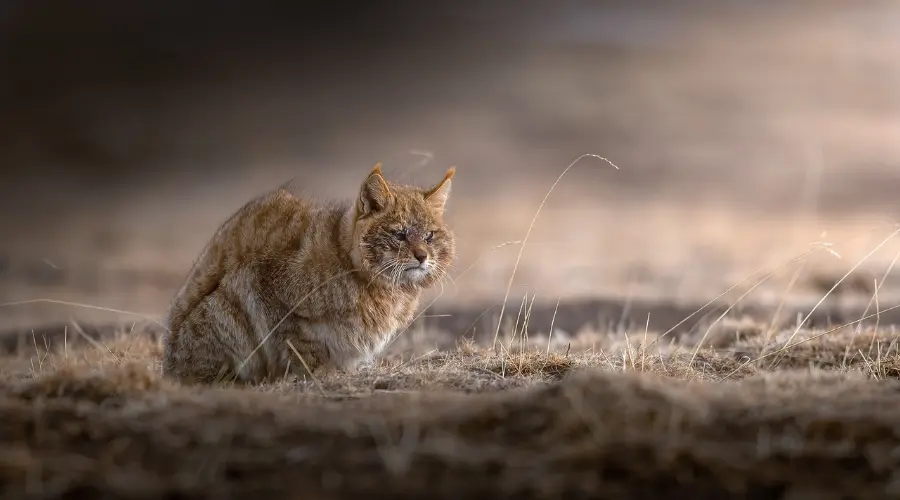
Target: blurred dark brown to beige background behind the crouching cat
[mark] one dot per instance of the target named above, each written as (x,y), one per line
(746,134)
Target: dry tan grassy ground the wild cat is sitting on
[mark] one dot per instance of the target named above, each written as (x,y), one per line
(600,416)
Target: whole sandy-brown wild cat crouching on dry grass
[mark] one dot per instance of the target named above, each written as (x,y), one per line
(287,278)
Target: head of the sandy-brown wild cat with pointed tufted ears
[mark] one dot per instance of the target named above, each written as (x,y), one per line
(399,231)
